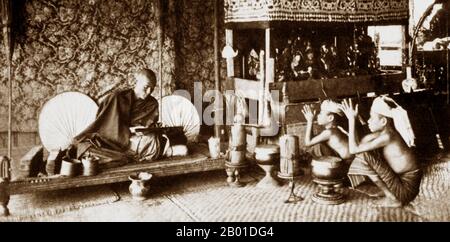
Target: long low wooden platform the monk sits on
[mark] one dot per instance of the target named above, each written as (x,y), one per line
(197,161)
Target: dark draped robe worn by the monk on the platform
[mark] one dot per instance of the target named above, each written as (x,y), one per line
(109,135)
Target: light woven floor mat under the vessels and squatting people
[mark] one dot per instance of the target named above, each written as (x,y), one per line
(215,201)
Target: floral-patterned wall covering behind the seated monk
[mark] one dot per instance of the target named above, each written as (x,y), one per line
(78,45)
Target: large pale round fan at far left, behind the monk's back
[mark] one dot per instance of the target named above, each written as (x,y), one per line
(63,117)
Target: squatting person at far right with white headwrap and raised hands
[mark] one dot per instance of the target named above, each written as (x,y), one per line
(395,170)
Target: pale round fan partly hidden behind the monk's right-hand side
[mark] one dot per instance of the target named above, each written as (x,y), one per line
(178,111)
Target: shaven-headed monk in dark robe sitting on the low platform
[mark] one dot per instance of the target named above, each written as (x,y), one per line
(121,117)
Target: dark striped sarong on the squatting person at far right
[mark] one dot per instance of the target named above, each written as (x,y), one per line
(404,187)
